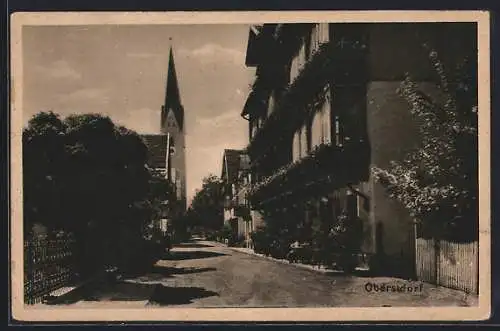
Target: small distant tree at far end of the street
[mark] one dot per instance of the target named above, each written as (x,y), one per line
(206,207)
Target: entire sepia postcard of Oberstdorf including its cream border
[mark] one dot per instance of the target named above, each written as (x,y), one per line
(243,167)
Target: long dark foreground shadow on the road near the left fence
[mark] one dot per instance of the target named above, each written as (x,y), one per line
(154,293)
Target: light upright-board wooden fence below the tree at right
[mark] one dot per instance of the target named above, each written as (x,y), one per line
(449,264)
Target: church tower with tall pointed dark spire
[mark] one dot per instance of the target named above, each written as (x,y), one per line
(172,124)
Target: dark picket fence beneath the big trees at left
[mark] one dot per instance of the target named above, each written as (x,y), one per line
(48,265)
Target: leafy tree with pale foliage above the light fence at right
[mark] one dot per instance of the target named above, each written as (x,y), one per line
(438,182)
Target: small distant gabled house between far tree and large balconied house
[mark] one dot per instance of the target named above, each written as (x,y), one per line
(235,178)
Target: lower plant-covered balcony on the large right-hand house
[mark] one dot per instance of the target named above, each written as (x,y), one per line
(324,169)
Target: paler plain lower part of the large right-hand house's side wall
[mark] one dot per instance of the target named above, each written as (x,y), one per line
(392,132)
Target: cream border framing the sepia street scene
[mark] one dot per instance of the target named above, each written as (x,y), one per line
(24,313)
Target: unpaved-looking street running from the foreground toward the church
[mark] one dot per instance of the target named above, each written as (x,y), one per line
(204,274)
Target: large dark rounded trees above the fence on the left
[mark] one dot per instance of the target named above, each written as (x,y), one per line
(87,176)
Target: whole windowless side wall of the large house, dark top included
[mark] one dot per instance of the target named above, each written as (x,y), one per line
(396,49)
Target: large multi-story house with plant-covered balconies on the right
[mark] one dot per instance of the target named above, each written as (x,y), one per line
(324,109)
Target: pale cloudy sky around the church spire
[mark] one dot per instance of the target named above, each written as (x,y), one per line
(120,71)
